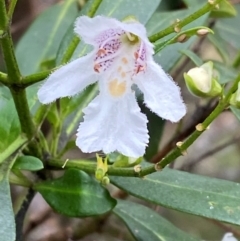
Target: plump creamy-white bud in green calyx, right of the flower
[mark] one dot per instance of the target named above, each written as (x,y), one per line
(200,81)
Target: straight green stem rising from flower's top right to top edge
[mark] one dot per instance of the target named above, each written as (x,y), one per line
(171,29)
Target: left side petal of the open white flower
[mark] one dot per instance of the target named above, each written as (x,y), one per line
(68,80)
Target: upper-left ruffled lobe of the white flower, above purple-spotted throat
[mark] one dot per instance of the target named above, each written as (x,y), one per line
(90,28)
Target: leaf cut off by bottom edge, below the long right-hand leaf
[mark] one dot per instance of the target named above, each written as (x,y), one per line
(146,224)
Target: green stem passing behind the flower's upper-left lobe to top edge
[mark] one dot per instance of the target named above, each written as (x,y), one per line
(76,40)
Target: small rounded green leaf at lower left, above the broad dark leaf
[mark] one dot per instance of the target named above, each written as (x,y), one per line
(30,163)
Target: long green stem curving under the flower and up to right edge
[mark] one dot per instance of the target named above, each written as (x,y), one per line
(90,167)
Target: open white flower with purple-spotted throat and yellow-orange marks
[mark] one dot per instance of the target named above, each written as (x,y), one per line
(122,57)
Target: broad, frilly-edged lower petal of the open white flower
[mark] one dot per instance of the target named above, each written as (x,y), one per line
(113,125)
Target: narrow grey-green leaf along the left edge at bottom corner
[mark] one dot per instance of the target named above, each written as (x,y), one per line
(7,222)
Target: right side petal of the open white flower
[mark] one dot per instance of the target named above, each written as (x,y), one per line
(161,94)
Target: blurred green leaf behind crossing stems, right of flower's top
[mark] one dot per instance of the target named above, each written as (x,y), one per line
(170,55)
